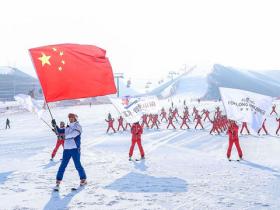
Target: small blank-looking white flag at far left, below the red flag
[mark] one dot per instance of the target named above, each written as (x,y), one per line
(30,104)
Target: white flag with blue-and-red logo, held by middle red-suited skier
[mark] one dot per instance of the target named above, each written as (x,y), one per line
(132,109)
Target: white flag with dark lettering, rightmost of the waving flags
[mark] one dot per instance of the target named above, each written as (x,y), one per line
(245,106)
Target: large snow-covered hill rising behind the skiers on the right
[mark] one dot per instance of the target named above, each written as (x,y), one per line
(206,86)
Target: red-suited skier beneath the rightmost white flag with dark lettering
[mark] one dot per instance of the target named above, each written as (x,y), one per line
(233,139)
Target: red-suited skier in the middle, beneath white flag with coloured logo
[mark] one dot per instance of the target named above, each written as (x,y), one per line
(136,131)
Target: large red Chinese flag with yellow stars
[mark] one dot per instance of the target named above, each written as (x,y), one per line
(70,71)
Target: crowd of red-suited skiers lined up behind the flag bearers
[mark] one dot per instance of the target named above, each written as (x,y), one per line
(218,123)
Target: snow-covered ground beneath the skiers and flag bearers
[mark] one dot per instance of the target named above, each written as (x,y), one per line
(184,169)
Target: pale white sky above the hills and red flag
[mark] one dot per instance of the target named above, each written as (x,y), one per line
(146,38)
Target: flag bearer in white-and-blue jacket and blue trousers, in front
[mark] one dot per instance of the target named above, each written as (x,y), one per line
(72,149)
